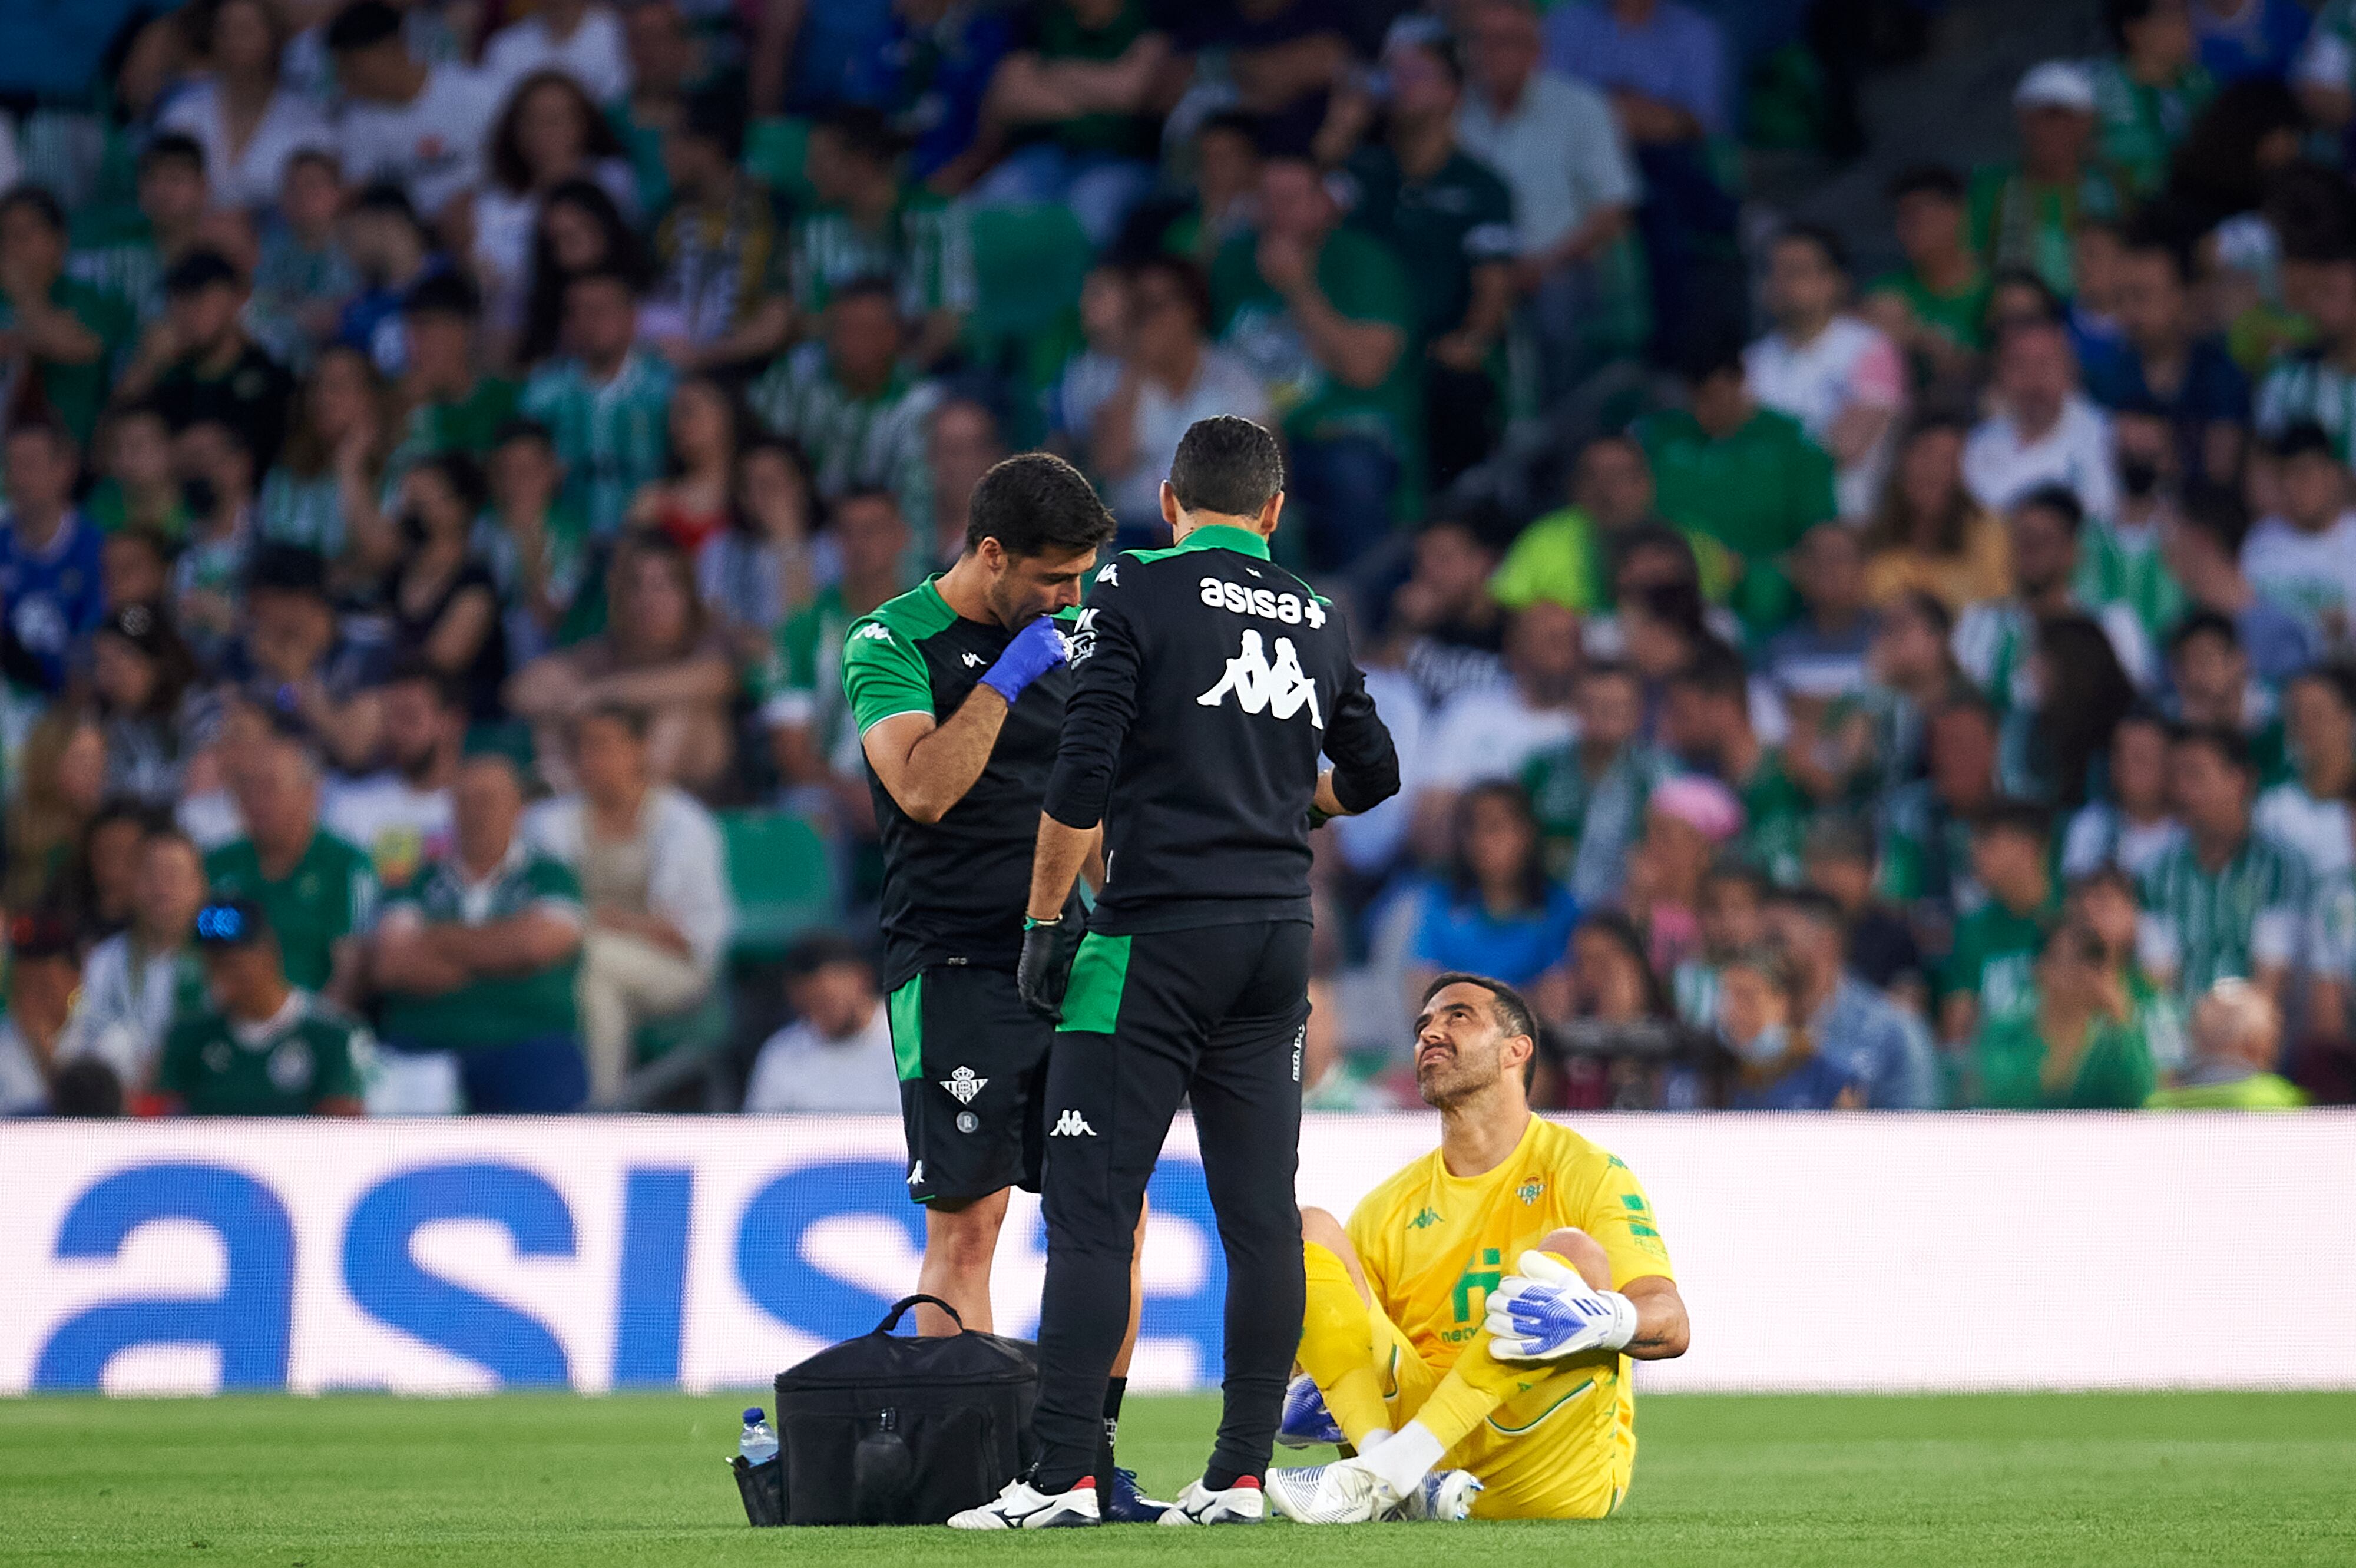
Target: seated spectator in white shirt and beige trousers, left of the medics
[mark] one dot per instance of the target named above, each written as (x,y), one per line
(659,903)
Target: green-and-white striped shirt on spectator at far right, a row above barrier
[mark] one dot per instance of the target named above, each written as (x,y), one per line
(2202,926)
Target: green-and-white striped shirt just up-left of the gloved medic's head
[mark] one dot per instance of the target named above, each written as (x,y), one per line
(854,441)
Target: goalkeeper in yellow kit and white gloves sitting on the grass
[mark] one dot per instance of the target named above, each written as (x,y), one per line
(1483,1305)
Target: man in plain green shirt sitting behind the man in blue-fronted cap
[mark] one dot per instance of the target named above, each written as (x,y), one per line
(312,886)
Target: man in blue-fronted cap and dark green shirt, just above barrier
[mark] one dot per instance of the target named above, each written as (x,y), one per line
(260,1047)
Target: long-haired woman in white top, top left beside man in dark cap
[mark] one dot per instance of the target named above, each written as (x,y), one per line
(239,112)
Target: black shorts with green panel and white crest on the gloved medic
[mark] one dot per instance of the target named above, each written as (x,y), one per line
(972,1065)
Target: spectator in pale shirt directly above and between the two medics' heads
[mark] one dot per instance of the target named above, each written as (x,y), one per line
(1172,376)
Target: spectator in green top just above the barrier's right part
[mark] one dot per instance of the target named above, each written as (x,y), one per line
(2072,1044)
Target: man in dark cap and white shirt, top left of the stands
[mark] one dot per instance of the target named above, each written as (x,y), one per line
(413,126)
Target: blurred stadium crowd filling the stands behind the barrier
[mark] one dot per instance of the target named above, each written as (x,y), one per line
(449,441)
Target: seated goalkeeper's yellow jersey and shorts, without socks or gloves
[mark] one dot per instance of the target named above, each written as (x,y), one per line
(1434,1247)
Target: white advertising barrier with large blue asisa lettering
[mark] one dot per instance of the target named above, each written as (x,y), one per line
(708,1254)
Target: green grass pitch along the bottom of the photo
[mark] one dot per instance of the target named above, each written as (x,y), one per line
(2074,1480)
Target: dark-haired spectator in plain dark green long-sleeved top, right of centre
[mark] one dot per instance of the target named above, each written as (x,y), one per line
(1742,474)
